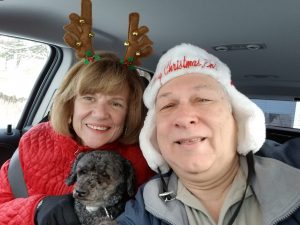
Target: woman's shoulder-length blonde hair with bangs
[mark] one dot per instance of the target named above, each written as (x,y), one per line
(107,76)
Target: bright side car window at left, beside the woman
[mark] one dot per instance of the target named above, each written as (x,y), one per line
(21,62)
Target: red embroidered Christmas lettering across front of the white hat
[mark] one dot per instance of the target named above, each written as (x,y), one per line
(185,64)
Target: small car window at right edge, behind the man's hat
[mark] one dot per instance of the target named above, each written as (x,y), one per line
(280,113)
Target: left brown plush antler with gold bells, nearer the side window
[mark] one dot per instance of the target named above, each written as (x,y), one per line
(79,32)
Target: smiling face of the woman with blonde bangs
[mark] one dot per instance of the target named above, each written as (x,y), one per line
(99,119)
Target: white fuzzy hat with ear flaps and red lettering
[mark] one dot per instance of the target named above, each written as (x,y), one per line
(185,59)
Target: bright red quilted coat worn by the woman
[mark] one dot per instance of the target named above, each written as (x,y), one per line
(46,158)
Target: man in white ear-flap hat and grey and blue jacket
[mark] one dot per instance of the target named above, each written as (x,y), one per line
(201,133)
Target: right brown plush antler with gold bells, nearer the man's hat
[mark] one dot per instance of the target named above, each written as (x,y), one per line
(138,44)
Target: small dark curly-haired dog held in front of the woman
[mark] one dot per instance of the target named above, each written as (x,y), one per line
(103,180)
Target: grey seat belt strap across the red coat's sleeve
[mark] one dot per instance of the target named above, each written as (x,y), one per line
(16,177)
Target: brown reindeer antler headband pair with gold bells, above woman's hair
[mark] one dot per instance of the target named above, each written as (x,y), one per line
(79,36)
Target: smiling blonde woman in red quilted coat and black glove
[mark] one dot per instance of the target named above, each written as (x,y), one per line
(98,106)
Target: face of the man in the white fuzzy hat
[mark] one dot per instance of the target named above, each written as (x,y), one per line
(196,131)
